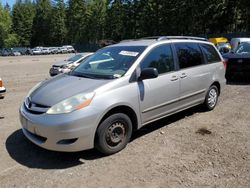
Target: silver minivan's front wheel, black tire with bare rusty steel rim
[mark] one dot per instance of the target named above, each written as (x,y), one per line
(113,134)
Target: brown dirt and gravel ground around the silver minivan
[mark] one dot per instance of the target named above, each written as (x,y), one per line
(172,152)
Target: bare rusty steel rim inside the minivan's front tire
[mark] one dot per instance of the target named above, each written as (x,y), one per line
(115,134)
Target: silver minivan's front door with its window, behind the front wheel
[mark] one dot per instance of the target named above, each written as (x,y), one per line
(159,96)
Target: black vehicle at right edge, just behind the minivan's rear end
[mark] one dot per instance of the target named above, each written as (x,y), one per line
(238,61)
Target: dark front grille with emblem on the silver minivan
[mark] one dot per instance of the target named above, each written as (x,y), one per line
(35,108)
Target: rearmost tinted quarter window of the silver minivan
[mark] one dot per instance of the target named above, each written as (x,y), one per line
(211,54)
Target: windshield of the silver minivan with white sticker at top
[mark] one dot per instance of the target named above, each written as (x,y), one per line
(109,63)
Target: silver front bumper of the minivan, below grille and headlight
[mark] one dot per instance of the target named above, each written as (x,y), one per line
(64,132)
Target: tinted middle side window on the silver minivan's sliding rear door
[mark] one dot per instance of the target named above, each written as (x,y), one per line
(189,55)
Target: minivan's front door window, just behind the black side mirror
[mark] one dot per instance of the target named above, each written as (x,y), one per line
(161,58)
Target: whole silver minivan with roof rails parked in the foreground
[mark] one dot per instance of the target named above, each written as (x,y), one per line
(119,89)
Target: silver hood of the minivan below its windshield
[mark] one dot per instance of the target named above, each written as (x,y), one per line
(61,87)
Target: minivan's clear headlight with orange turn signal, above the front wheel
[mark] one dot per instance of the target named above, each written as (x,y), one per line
(76,102)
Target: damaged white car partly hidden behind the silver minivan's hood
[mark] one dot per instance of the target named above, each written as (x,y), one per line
(68,64)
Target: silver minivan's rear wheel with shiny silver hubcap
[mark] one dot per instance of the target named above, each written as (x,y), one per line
(211,98)
